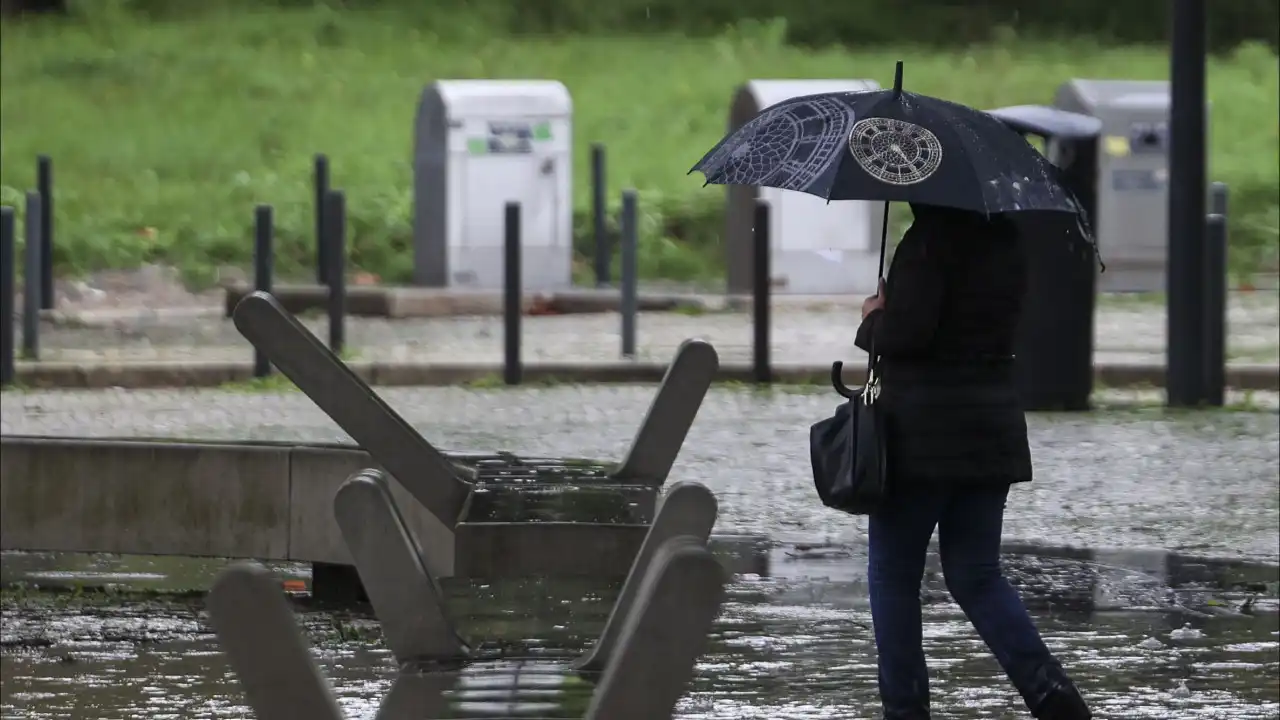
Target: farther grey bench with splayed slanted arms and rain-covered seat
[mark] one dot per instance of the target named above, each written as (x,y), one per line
(607,508)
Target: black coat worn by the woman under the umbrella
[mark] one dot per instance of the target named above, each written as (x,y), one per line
(953,302)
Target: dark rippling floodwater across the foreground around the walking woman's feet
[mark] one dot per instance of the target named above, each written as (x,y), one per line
(792,648)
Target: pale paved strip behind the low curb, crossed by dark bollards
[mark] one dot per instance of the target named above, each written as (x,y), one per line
(1127,331)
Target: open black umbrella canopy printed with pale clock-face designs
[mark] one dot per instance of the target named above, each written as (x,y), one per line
(890,145)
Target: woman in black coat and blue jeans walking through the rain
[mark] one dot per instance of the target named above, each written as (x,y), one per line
(944,327)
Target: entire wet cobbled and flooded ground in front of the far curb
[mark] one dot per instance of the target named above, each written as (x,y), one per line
(1145,644)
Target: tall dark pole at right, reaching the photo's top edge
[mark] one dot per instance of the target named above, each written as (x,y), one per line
(1187,192)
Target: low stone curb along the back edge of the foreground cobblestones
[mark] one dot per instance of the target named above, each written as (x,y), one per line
(213,373)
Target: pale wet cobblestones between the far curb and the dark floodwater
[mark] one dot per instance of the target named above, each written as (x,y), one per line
(1201,484)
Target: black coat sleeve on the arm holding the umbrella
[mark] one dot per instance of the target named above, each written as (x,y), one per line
(913,302)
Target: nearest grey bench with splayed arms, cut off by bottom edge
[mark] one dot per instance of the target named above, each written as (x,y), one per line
(646,658)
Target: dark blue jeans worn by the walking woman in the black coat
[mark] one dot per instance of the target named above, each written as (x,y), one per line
(970,522)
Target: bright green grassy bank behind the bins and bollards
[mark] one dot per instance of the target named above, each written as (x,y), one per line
(166,135)
